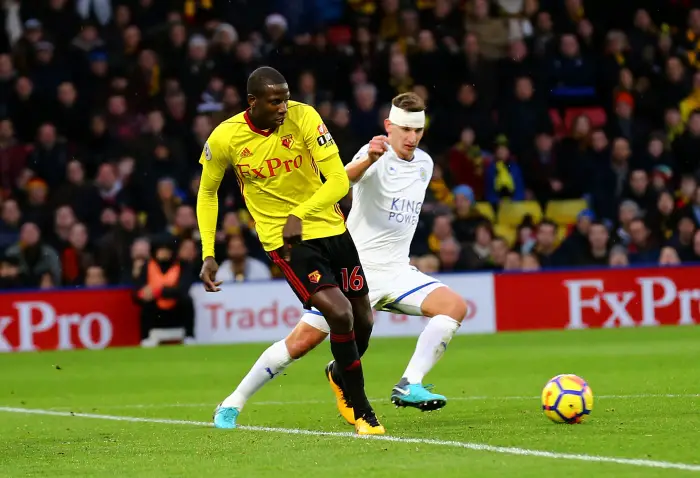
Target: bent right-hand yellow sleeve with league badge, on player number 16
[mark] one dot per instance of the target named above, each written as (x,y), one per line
(325,154)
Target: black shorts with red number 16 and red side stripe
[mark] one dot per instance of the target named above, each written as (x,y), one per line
(325,262)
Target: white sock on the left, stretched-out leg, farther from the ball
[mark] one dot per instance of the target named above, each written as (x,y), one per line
(272,361)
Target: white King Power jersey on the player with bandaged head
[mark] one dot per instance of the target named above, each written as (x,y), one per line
(386,203)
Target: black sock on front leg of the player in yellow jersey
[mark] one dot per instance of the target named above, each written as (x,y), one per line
(347,363)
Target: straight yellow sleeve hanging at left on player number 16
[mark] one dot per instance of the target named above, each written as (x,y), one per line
(214,160)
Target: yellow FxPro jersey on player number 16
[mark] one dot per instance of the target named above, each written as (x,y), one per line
(278,171)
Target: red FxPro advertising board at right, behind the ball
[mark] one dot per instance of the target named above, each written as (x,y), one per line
(598,298)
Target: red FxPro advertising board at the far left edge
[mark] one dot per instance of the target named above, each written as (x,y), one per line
(68,319)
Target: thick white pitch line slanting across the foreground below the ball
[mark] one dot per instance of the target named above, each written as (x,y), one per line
(421,441)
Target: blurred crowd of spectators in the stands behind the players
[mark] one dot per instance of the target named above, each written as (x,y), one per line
(105,106)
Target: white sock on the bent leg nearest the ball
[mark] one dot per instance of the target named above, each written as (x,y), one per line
(432,343)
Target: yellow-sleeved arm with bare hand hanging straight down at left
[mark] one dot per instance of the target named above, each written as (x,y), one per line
(213,169)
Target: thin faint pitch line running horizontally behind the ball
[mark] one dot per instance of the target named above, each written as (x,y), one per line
(317,402)
